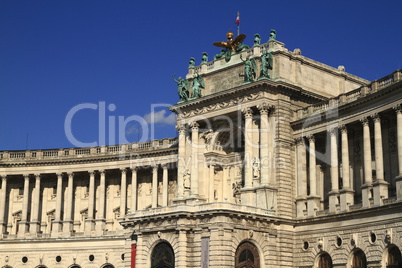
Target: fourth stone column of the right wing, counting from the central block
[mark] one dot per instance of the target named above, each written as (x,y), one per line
(346,193)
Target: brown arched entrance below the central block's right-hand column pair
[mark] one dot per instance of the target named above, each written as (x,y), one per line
(247,256)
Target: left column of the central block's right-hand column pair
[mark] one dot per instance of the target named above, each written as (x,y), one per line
(247,191)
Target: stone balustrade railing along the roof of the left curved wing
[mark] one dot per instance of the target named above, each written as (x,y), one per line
(86,152)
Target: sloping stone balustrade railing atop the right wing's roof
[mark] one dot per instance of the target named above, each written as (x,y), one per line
(350,96)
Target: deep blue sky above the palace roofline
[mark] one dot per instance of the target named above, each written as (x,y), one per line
(121,55)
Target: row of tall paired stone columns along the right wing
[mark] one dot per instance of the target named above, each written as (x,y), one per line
(373,191)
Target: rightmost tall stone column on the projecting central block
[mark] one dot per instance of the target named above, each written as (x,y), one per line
(265,161)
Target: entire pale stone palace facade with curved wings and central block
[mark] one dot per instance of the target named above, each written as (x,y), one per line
(298,168)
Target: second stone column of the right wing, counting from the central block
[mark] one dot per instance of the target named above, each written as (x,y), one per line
(313,200)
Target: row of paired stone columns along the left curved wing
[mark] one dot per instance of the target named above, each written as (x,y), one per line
(63,226)
